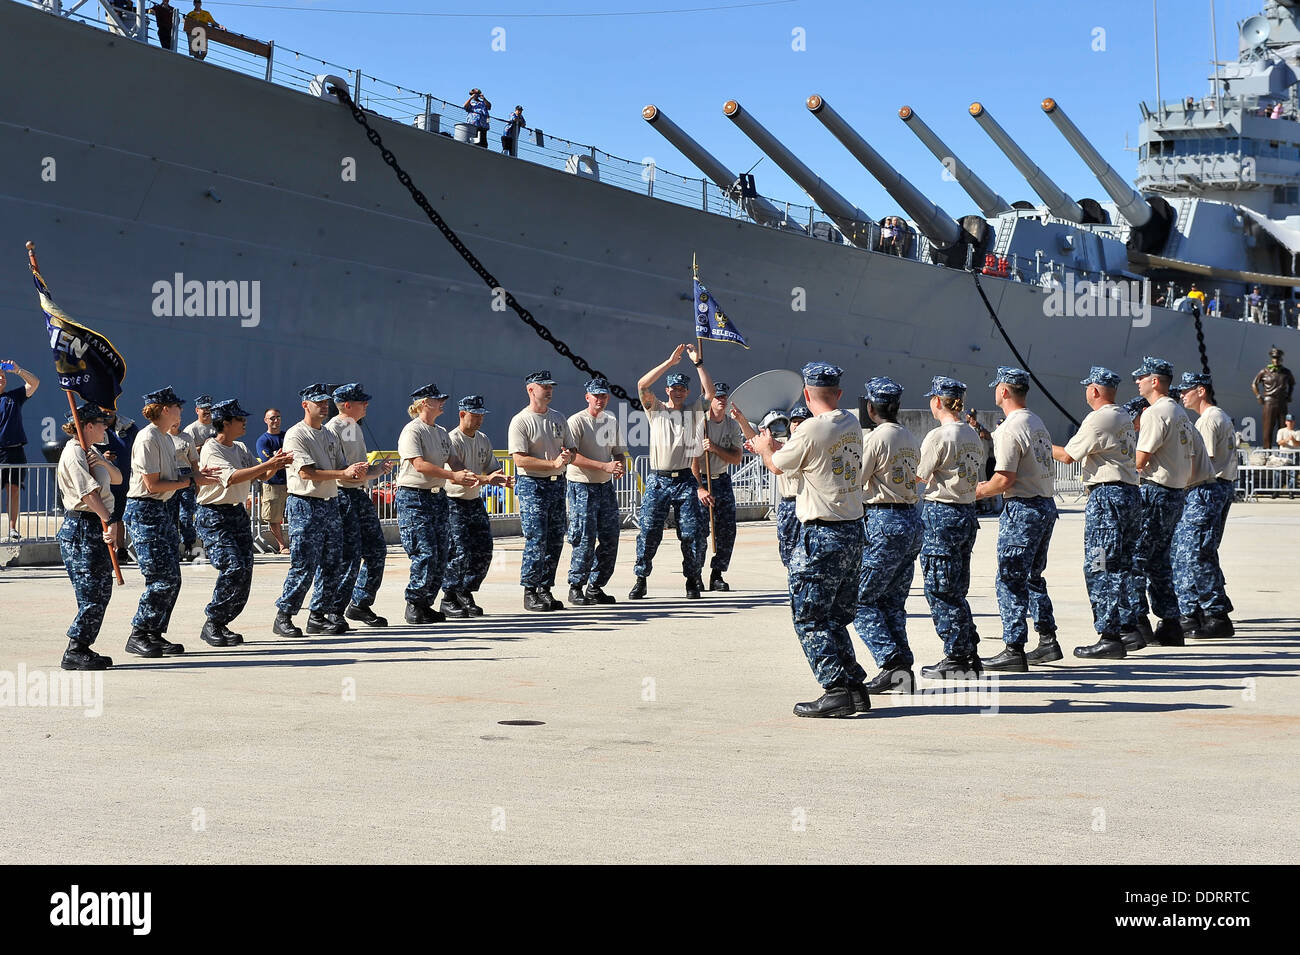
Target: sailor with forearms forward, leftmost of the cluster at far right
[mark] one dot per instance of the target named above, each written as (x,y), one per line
(1104,448)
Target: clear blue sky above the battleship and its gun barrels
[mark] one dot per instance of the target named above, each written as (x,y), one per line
(587,77)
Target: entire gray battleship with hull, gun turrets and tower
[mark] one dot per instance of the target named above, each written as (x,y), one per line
(354,284)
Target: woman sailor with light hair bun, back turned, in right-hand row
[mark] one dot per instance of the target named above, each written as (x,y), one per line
(952,461)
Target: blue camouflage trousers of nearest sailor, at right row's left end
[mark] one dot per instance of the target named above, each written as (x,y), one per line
(824,598)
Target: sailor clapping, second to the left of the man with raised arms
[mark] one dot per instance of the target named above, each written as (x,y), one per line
(540,442)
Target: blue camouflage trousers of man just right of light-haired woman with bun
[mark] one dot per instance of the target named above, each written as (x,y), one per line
(1024,537)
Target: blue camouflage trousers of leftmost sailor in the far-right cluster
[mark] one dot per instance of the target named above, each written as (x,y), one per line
(1112,523)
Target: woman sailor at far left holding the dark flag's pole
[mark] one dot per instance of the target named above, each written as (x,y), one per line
(85,483)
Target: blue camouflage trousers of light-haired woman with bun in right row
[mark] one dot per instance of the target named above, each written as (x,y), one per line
(946,562)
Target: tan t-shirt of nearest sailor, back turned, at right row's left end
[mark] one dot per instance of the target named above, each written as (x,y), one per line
(826,454)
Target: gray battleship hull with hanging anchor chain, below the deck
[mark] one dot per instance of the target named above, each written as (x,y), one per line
(357,285)
